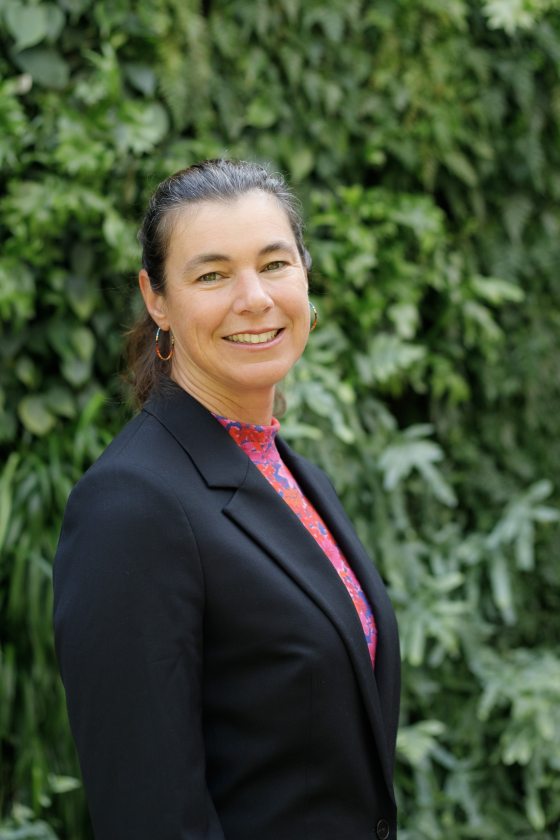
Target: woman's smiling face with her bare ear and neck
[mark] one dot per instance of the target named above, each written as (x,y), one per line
(236,302)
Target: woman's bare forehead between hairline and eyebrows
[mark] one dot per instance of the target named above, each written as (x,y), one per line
(253,219)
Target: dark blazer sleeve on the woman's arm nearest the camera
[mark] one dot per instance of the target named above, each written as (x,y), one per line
(128,614)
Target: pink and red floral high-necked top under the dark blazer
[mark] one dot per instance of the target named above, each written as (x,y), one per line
(258,442)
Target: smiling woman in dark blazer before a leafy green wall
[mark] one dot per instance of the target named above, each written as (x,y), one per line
(229,653)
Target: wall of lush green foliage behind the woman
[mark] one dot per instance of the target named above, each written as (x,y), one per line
(423,138)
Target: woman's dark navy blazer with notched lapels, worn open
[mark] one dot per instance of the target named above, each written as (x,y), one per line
(217,676)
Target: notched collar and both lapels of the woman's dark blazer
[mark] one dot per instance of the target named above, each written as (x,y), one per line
(258,510)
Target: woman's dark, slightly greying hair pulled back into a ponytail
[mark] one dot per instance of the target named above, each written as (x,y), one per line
(210,180)
